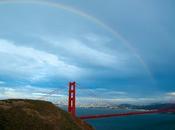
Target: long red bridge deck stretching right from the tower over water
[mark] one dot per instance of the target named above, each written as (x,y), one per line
(127,113)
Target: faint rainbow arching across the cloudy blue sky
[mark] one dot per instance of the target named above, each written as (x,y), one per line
(90,18)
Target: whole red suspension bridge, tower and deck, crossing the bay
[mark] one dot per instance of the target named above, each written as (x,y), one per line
(71,107)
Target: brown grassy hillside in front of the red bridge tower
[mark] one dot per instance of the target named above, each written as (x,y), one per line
(19,114)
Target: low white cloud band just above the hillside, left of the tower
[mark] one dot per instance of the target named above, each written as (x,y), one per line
(33,92)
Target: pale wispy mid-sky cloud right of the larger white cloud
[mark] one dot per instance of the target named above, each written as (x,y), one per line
(86,53)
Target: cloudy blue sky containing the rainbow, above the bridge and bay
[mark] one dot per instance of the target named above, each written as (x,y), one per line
(117,51)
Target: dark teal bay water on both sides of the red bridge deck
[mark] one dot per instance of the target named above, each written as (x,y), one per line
(140,122)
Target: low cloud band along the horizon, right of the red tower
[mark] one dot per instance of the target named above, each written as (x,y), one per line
(106,97)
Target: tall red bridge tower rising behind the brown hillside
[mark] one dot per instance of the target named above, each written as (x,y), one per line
(71,99)
